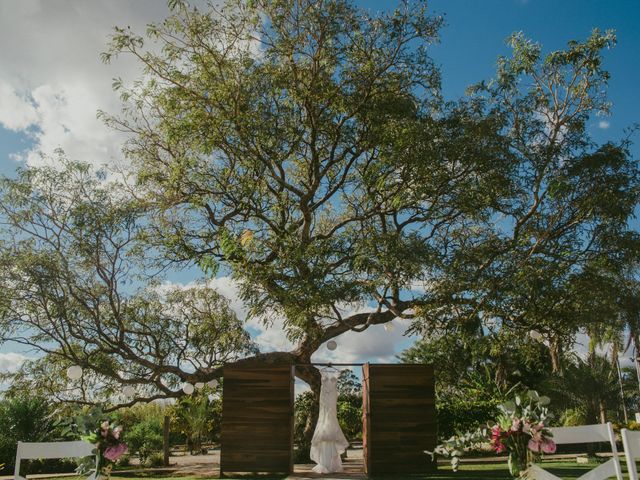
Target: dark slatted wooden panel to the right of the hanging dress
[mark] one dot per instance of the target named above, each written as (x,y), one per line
(399,421)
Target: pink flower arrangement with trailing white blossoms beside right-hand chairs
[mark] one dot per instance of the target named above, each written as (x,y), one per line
(520,431)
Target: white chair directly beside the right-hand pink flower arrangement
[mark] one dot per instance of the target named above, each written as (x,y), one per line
(584,434)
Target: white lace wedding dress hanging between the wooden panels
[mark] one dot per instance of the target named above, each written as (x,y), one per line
(328,441)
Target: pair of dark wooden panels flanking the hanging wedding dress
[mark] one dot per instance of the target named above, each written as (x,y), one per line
(399,418)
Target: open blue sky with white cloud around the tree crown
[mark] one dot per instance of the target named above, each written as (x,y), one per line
(52,82)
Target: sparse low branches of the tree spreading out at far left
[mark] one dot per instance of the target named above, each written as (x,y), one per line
(81,247)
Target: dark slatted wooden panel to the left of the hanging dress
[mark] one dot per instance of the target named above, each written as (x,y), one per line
(257,420)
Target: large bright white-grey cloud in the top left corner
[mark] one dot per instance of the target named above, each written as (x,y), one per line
(52,81)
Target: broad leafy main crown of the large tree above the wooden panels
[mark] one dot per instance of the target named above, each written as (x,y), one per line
(304,147)
